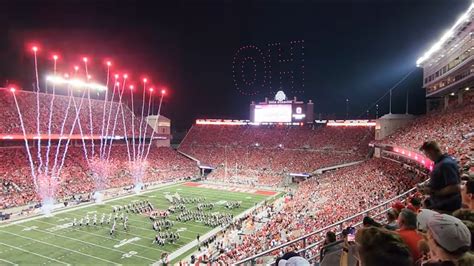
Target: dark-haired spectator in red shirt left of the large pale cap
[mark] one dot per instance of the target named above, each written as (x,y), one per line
(407,223)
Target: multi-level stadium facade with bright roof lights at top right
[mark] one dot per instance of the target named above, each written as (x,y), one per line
(448,66)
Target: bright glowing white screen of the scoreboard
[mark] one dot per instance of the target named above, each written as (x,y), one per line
(273,113)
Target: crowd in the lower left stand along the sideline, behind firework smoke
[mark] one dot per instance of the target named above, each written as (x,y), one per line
(76,177)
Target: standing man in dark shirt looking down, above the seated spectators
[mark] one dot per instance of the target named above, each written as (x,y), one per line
(443,186)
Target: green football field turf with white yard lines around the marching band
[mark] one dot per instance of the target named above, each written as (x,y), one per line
(35,241)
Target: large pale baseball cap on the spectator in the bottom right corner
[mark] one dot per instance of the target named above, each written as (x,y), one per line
(449,232)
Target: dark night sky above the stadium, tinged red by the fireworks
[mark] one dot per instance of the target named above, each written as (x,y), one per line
(352,49)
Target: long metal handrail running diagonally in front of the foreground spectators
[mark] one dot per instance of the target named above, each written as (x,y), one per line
(302,238)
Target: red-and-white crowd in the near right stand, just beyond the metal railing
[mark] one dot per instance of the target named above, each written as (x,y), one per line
(327,199)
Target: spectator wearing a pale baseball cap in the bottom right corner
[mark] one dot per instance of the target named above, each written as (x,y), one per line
(448,239)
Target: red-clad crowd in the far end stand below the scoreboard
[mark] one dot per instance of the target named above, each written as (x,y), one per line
(264,152)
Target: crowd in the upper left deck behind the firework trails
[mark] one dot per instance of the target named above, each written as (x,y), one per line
(64,112)
